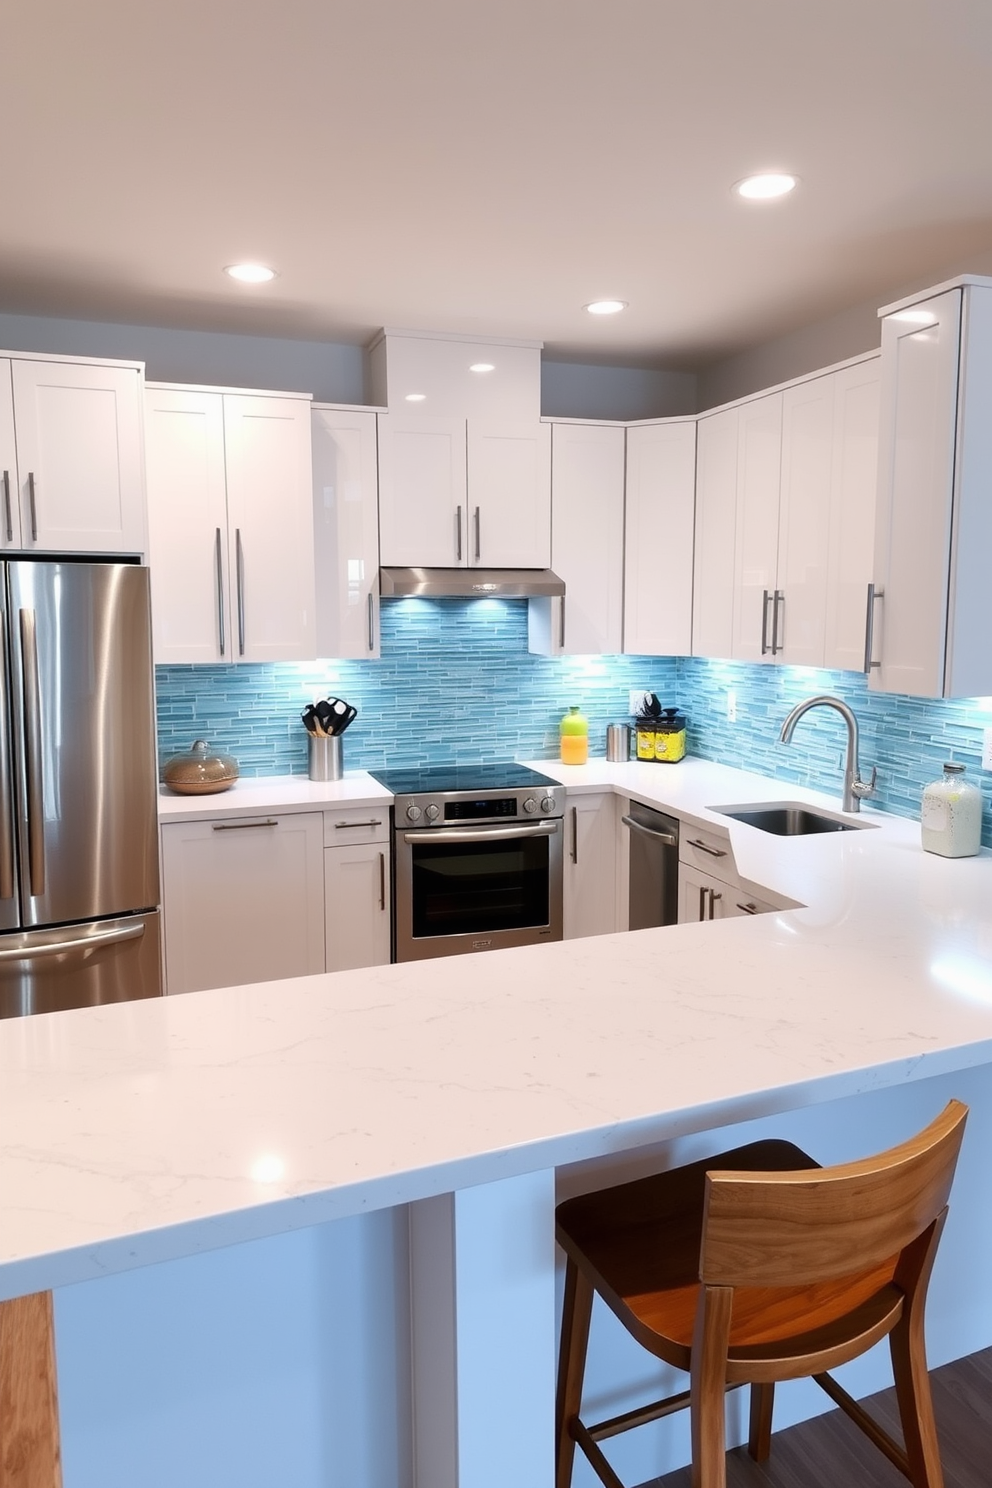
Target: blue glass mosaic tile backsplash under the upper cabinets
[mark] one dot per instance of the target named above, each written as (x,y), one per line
(457,682)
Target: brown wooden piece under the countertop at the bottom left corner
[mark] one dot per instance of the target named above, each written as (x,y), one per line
(29,1407)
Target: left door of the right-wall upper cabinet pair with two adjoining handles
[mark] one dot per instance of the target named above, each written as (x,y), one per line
(756,551)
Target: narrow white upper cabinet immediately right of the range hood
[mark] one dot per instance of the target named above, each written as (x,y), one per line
(587,545)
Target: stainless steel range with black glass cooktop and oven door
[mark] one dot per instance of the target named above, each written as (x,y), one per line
(477,859)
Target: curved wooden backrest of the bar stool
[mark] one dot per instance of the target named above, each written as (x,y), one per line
(786,1230)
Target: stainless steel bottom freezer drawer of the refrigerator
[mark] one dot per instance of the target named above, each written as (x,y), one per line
(81,966)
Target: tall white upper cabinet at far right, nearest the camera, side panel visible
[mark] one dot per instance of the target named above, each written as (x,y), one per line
(935,522)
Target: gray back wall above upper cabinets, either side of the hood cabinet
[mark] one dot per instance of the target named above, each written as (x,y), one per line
(331,371)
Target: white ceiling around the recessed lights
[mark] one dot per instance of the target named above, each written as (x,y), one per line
(490,166)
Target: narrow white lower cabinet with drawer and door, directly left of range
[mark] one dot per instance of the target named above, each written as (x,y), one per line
(358,888)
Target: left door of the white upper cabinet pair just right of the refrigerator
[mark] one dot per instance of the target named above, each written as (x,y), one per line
(188,526)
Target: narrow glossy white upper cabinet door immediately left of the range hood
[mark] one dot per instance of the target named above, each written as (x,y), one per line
(346,533)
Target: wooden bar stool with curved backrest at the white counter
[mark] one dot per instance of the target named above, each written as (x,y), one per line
(761,1266)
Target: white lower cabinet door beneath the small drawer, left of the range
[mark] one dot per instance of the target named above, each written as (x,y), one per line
(358,905)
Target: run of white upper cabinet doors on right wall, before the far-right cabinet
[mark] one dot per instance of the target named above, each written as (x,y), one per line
(785,523)
